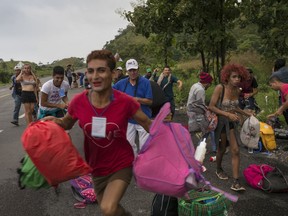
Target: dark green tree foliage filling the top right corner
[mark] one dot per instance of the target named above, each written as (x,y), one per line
(271,17)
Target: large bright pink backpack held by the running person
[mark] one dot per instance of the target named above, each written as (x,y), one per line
(166,160)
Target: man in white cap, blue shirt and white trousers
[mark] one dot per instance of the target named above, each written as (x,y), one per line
(140,89)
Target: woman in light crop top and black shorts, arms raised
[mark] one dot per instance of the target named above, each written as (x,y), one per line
(29,86)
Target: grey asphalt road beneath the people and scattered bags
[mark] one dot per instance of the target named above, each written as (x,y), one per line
(14,201)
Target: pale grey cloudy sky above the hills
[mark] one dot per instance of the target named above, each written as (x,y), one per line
(48,30)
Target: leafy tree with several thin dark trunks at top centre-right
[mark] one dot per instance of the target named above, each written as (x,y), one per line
(207,29)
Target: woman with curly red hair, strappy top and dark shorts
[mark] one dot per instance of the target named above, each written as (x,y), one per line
(224,102)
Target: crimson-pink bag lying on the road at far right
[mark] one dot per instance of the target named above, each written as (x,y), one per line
(254,174)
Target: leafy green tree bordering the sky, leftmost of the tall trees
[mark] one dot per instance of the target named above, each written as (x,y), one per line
(157,17)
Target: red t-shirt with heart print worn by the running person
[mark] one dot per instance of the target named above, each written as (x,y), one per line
(112,153)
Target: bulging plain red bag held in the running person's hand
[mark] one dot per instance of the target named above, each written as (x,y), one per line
(53,153)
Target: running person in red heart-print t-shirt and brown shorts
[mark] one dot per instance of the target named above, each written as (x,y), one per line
(103,114)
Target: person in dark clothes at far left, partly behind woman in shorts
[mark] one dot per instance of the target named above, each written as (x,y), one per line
(16,94)
